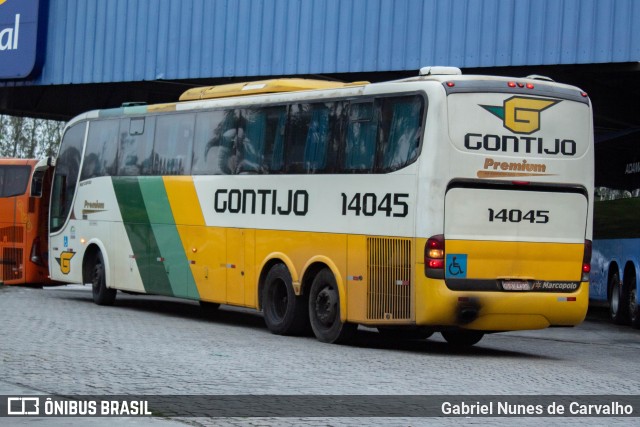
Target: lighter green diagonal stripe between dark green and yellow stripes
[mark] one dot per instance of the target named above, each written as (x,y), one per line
(172,256)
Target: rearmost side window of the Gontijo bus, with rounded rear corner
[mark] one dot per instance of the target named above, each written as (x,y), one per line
(401,122)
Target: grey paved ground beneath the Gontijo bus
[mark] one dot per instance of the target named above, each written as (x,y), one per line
(56,341)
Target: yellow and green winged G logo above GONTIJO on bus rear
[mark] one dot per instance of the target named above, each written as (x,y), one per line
(520,114)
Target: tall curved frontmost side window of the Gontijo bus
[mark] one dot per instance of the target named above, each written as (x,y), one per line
(66,175)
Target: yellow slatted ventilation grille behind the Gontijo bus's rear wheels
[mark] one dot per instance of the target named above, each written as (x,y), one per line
(390,286)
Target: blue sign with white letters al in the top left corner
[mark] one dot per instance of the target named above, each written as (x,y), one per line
(18,38)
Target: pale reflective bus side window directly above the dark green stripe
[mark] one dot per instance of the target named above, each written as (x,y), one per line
(136,146)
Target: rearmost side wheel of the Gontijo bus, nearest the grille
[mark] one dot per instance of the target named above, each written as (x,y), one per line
(324,310)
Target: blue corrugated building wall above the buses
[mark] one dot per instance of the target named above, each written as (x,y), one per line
(102,41)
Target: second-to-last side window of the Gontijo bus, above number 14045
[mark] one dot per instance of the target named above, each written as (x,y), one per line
(360,147)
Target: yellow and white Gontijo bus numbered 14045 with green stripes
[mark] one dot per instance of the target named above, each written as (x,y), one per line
(439,203)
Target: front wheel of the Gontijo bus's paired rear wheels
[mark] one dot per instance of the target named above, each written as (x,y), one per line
(284,312)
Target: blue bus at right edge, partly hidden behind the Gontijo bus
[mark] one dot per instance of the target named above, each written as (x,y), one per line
(616,245)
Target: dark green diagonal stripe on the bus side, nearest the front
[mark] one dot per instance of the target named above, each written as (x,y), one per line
(142,239)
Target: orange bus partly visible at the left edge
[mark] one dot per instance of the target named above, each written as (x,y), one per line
(25,185)
